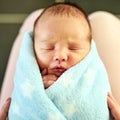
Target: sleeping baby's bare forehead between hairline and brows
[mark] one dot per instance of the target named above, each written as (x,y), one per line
(49,22)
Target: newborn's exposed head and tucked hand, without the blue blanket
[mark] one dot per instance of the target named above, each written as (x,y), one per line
(62,38)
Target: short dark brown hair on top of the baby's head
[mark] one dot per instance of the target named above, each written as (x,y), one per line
(64,9)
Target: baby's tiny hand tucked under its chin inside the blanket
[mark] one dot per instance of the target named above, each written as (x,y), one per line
(48,79)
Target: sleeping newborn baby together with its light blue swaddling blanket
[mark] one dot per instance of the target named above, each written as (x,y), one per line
(59,74)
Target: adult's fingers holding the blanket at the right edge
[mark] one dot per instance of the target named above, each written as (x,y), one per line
(114,106)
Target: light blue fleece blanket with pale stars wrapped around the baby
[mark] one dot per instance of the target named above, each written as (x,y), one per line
(80,93)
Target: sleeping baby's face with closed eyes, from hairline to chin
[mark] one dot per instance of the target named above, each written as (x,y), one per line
(60,43)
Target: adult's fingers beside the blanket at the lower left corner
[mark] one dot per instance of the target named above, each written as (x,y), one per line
(4,109)
